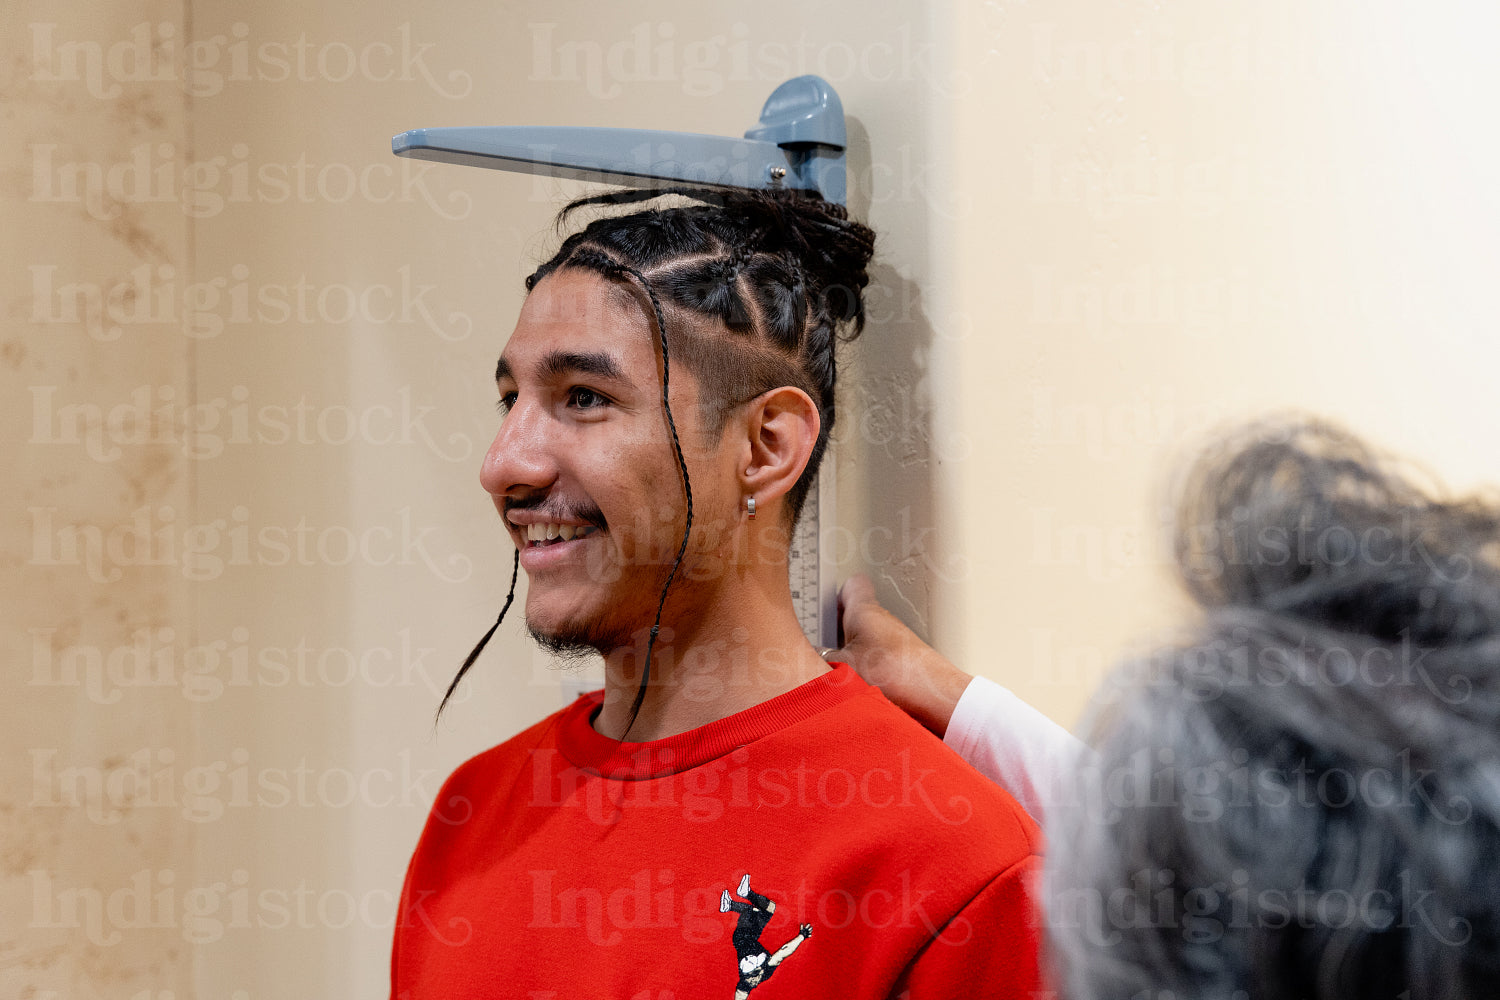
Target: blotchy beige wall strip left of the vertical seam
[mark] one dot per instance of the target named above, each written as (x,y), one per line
(79,758)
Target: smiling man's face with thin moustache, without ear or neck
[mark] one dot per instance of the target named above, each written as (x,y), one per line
(583,470)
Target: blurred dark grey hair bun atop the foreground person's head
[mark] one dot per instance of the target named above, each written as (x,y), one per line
(1300,518)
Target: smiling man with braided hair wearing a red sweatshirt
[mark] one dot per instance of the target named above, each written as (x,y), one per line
(668,394)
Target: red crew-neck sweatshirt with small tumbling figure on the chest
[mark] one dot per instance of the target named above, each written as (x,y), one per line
(820,845)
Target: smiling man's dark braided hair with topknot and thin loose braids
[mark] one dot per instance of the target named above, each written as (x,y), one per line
(763,286)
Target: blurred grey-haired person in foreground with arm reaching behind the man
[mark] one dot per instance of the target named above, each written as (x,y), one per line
(1301,798)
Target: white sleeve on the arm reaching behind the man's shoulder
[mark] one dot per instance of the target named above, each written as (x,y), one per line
(1013,746)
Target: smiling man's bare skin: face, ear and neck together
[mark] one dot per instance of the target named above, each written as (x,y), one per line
(586,451)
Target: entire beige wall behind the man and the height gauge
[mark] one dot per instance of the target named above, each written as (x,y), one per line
(1105,229)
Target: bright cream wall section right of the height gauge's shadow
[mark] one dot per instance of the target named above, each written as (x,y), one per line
(1184,214)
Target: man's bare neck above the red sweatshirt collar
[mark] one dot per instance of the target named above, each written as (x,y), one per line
(728,660)
